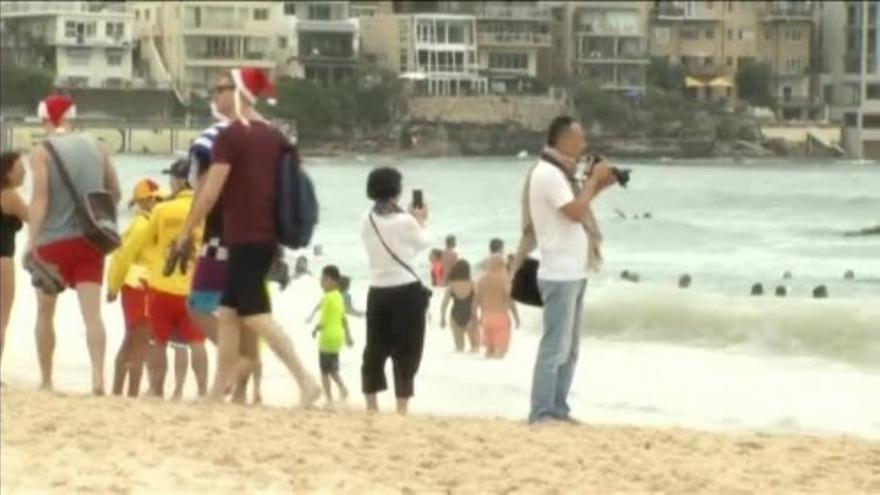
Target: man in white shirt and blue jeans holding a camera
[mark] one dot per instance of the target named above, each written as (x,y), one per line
(559,212)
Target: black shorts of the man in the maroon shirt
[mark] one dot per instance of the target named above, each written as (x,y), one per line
(246,284)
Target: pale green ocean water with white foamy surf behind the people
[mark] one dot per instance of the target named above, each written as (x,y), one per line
(710,357)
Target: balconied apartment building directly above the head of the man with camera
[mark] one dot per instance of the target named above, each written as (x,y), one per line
(610,44)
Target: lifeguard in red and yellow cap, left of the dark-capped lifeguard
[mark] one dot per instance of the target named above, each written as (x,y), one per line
(128,277)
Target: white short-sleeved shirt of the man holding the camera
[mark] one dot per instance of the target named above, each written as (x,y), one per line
(561,242)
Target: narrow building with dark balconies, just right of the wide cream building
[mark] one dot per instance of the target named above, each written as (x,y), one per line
(324,38)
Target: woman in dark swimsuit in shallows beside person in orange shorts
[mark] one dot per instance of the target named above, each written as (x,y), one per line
(460,293)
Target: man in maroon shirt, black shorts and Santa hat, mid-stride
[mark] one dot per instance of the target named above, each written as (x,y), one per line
(246,157)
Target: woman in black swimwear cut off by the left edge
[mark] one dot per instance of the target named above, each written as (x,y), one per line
(13,214)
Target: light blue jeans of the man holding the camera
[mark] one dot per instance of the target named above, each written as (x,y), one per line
(558,351)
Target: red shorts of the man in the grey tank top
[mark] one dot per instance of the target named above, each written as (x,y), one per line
(78,261)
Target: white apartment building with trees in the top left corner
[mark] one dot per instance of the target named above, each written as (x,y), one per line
(85,44)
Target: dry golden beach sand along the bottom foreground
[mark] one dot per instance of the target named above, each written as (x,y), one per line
(63,443)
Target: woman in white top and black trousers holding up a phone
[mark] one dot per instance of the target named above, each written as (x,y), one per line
(396,303)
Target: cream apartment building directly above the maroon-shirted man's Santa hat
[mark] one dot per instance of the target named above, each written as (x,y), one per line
(187,45)
